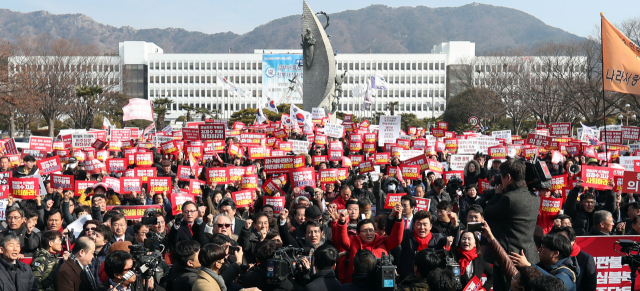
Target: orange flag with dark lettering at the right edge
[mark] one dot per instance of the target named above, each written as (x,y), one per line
(620,61)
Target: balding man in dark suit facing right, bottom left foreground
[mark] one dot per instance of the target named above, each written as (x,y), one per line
(75,275)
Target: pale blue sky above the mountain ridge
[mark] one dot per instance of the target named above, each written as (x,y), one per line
(241,16)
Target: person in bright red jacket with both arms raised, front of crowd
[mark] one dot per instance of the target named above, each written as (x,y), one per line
(366,237)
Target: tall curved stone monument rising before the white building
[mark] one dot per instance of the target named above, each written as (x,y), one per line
(319,69)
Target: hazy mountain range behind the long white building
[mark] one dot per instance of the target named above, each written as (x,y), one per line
(376,29)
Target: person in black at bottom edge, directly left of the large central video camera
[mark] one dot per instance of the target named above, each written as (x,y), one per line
(257,275)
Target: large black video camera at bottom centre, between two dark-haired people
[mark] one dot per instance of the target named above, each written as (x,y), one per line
(287,262)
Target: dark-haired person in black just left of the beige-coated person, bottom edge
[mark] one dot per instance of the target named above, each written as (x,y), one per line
(184,271)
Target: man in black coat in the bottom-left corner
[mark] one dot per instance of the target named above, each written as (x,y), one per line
(14,274)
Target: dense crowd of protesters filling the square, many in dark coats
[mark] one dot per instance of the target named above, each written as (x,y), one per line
(338,232)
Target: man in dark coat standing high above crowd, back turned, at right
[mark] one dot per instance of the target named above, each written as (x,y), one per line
(512,213)
